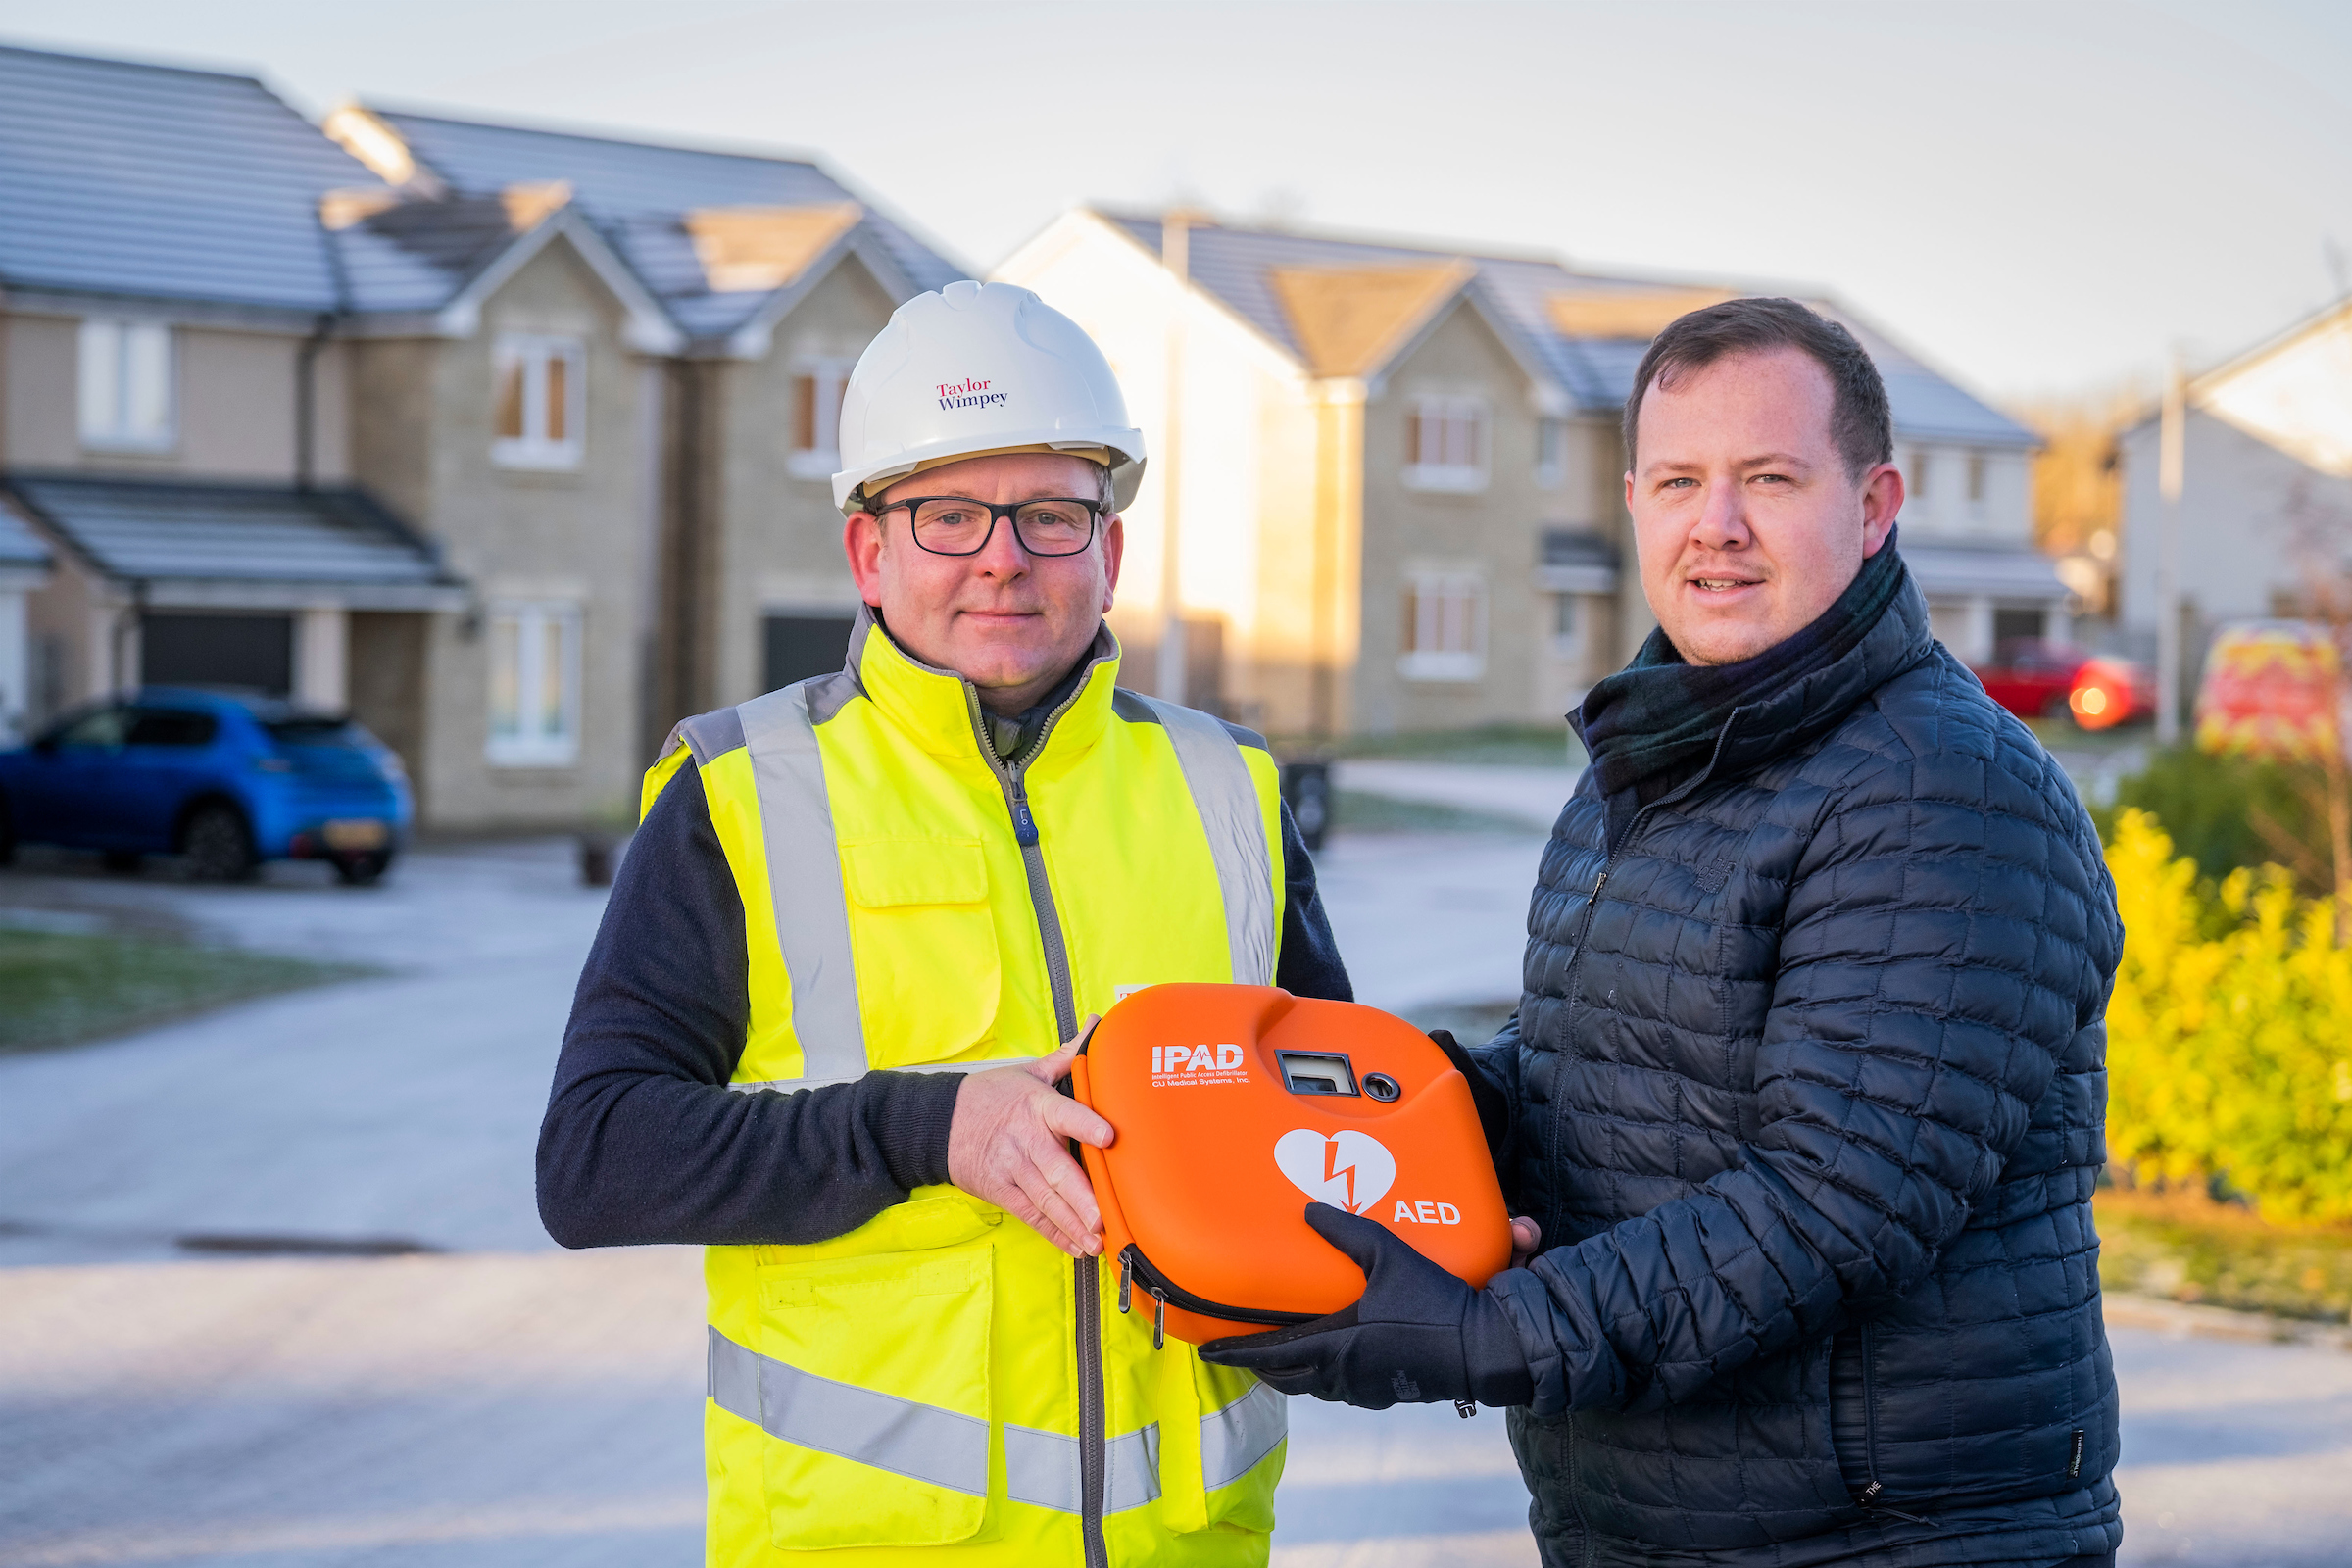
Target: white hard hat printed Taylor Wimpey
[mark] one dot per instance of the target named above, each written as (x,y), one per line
(982,368)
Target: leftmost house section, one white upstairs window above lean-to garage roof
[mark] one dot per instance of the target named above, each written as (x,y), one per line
(173,413)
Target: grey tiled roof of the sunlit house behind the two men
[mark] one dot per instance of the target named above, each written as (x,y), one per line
(1236,264)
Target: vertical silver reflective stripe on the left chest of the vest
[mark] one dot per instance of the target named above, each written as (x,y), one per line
(806,883)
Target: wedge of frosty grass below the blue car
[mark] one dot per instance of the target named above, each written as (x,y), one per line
(65,991)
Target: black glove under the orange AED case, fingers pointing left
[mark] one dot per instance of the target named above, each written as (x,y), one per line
(1417,1334)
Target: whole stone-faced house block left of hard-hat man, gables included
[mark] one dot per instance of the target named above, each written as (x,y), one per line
(500,438)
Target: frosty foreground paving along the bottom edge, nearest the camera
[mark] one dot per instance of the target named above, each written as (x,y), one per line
(490,1412)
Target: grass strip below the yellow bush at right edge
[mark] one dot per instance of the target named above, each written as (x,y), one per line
(2186,1247)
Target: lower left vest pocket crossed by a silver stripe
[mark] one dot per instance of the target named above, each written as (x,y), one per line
(874,1391)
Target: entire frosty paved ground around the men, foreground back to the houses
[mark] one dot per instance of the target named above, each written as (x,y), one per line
(509,1405)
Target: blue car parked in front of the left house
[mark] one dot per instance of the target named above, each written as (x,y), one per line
(227,782)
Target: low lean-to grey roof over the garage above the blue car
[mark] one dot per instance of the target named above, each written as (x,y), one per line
(182,530)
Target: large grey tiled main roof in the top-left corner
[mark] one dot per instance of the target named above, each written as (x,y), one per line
(161,185)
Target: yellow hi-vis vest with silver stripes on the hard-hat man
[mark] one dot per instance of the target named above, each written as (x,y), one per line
(942,1379)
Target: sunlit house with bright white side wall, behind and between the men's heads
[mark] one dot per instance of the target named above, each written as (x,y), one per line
(1396,471)
